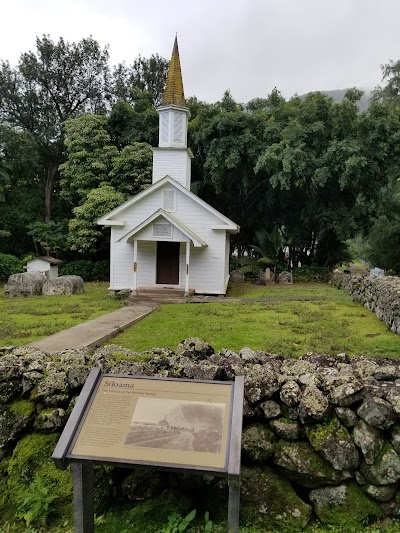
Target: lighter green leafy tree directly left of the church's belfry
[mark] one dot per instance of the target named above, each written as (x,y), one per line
(96,177)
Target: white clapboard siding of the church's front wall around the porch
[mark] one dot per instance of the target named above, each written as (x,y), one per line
(208,271)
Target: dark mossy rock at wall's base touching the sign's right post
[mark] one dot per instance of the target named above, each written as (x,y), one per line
(269,501)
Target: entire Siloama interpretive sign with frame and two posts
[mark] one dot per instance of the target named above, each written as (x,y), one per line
(149,422)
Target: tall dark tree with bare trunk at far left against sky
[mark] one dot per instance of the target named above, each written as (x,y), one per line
(59,81)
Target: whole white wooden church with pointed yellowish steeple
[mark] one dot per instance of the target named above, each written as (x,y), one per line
(165,236)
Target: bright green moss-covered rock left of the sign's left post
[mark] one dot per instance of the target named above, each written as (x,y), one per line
(34,482)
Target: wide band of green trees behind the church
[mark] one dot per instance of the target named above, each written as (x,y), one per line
(301,176)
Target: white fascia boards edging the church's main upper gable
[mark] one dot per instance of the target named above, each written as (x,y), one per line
(105,220)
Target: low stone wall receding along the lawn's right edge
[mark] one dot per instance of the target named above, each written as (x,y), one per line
(380,295)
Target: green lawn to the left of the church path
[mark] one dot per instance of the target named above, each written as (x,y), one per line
(23,320)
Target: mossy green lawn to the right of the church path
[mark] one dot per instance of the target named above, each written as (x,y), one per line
(290,328)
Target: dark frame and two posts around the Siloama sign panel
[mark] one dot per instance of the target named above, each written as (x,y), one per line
(82,466)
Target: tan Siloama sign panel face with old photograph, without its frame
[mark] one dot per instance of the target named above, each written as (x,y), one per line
(156,421)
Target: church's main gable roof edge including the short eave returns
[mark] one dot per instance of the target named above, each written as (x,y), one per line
(115,217)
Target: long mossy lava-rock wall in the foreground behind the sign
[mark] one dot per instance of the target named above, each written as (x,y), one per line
(321,435)
